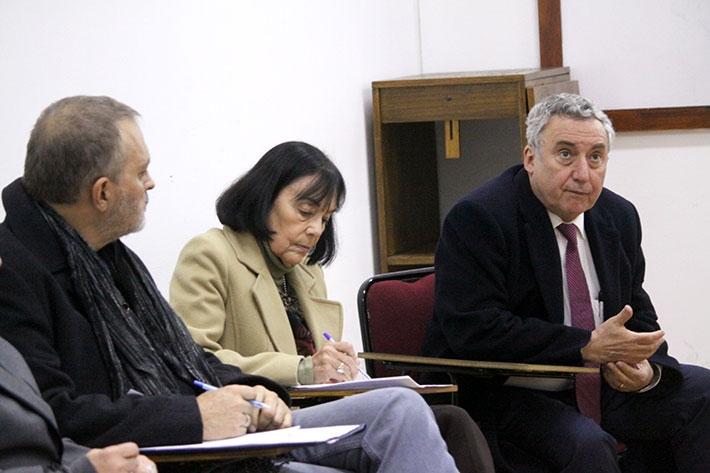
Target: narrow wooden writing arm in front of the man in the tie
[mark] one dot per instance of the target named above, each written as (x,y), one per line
(475,368)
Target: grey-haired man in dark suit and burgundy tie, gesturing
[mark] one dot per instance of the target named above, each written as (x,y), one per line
(514,285)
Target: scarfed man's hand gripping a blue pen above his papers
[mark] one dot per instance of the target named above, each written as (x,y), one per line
(226,412)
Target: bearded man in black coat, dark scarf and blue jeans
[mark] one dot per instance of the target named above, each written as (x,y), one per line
(110,356)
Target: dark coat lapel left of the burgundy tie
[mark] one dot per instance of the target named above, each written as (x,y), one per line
(542,248)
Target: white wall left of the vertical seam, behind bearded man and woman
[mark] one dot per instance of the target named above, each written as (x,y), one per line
(218,83)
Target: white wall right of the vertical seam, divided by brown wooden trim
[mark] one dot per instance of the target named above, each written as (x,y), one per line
(625,54)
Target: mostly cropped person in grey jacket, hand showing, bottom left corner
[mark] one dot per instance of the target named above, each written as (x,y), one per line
(29,437)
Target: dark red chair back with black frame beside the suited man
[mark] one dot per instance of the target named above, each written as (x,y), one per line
(395,310)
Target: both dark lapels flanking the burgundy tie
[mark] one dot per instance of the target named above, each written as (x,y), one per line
(604,242)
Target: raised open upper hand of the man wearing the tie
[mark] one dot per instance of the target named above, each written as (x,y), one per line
(612,341)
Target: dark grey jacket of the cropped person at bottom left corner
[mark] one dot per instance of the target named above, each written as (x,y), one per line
(29,437)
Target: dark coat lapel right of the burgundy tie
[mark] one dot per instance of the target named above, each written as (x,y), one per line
(605,244)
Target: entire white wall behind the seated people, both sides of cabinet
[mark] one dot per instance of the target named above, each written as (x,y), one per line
(220,82)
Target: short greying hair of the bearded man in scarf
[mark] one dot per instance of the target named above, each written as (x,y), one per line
(75,141)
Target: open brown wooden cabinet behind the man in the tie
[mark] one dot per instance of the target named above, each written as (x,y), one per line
(477,118)
